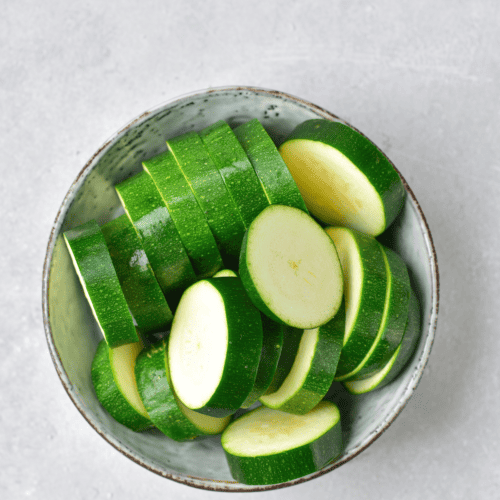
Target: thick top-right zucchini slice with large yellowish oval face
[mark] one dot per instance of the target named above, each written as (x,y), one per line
(344,178)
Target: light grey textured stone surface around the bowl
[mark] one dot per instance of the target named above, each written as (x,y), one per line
(419,78)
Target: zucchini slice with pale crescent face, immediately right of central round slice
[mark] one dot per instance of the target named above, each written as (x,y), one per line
(365,289)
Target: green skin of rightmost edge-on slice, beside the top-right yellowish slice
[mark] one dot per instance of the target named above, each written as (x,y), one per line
(276,179)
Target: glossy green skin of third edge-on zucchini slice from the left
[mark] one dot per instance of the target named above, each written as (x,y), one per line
(159,236)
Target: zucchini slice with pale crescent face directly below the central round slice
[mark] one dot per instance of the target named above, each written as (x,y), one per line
(313,369)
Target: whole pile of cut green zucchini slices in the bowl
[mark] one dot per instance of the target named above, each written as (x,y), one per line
(246,279)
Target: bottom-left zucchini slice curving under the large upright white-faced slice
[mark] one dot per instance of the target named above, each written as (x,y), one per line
(167,413)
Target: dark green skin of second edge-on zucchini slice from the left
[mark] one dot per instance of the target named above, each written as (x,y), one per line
(138,282)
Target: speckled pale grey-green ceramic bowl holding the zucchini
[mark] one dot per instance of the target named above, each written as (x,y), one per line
(73,335)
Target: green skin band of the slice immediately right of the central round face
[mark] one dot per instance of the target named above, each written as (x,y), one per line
(371,306)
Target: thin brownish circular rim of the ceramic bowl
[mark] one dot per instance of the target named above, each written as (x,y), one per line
(204,483)
